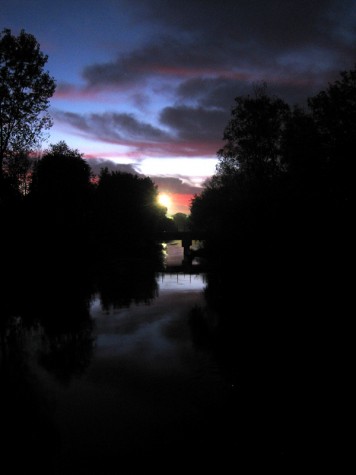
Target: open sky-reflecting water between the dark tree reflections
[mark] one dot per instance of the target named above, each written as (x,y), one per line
(149,392)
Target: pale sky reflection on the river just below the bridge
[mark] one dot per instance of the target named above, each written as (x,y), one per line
(150,333)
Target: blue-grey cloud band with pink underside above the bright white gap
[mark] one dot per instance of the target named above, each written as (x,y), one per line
(184,131)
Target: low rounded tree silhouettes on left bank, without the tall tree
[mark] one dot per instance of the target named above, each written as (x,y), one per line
(67,210)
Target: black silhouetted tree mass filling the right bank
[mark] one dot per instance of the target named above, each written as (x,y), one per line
(277,217)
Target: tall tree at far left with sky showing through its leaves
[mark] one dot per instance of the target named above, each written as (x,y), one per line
(25,90)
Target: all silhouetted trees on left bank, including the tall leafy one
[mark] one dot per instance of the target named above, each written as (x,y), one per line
(56,210)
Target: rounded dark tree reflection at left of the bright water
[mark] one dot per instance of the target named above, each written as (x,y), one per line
(61,304)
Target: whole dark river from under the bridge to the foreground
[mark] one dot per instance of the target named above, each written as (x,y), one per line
(154,371)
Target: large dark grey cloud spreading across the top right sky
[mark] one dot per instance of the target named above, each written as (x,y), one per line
(253,39)
